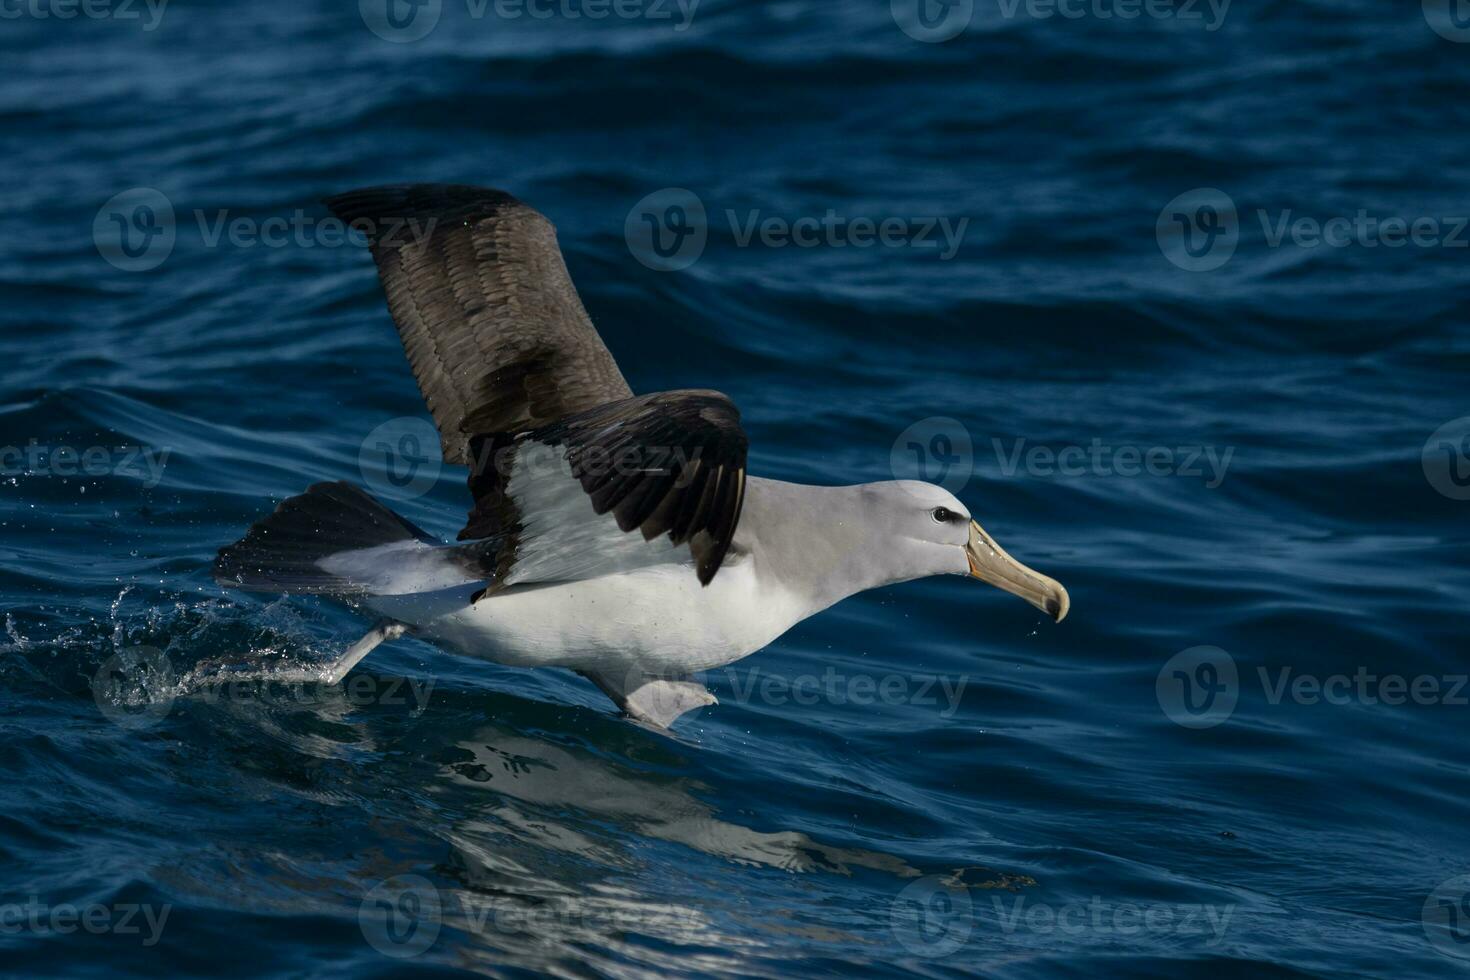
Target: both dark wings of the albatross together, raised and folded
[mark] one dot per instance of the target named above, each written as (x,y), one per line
(509,362)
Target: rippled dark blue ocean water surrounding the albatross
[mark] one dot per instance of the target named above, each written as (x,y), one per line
(1238,442)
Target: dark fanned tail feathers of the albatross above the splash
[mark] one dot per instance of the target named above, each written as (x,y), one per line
(286,550)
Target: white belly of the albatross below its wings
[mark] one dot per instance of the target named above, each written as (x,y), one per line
(659,618)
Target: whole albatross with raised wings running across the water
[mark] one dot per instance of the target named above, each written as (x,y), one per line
(612,534)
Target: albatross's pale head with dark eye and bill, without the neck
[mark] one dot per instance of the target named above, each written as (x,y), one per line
(928,531)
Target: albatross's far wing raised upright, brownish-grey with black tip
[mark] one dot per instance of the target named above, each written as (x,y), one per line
(489,317)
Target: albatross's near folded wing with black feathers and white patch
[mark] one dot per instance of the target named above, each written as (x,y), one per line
(670,464)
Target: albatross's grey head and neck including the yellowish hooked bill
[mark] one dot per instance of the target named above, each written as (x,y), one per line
(836,541)
